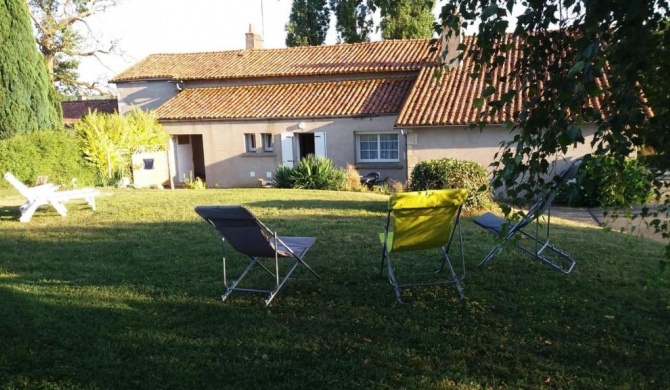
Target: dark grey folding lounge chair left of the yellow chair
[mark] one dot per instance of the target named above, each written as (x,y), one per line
(249,236)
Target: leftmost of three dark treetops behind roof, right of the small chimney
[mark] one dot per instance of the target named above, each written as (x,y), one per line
(308,23)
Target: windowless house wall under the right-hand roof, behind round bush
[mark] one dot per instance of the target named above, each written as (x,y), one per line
(427,143)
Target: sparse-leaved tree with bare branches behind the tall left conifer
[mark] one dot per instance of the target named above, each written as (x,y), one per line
(63,36)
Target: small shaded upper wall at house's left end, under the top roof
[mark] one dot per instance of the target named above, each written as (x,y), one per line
(147,95)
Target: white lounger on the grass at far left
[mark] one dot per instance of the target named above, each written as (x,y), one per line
(48,194)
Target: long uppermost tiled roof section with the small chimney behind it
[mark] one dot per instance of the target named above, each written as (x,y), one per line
(371,57)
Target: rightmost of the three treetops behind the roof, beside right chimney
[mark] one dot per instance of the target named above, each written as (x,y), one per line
(406,19)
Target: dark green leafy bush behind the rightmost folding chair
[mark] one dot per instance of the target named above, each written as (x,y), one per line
(601,182)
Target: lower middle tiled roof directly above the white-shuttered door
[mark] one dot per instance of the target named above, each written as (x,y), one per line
(297,100)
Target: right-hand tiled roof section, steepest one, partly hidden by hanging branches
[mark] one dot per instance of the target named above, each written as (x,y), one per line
(451,100)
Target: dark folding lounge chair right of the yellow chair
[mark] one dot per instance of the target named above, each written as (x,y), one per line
(540,246)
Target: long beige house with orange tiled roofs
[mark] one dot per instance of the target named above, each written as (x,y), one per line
(234,116)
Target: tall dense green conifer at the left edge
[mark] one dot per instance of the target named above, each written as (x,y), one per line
(28,101)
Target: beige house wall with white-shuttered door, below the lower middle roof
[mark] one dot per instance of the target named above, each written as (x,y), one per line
(228,164)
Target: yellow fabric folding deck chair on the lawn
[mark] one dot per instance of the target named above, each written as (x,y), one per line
(423,220)
